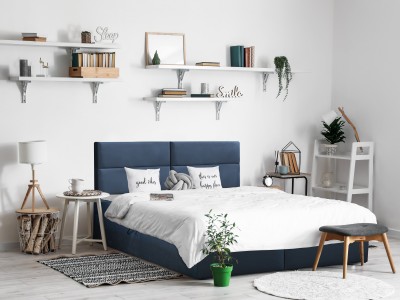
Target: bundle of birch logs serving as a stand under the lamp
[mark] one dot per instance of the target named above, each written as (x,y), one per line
(37,232)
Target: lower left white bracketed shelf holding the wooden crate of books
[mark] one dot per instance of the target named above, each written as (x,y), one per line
(94,81)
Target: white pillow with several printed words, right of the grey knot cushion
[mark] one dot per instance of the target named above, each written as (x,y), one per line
(205,178)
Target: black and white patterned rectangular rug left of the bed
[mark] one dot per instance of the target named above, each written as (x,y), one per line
(95,270)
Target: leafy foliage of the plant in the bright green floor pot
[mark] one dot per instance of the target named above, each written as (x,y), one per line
(220,235)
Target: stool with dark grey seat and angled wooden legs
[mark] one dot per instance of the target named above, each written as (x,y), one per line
(359,232)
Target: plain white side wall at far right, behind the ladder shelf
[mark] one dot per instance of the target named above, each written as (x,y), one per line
(365,81)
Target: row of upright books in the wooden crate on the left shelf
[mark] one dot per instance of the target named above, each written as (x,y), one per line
(101,60)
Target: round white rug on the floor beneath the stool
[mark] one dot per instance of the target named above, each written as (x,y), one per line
(320,285)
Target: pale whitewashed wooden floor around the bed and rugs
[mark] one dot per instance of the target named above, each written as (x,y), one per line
(21,277)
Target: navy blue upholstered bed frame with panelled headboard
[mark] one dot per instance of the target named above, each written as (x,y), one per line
(110,158)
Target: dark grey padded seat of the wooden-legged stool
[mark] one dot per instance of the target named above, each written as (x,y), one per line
(364,229)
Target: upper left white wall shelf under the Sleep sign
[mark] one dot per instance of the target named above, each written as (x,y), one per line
(59,44)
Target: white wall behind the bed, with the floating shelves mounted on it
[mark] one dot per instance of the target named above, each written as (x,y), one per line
(62,113)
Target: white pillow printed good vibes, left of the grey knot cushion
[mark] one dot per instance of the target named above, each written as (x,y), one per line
(143,180)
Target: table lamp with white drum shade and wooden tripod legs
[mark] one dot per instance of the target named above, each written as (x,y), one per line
(33,153)
